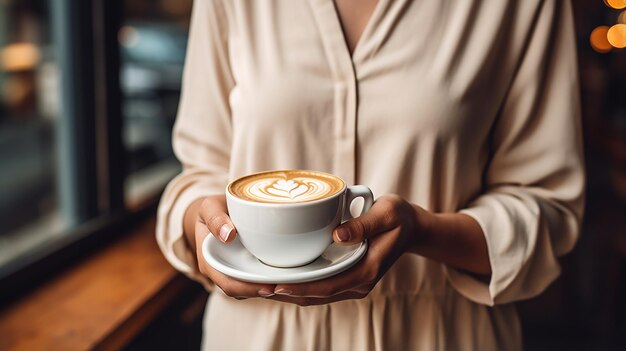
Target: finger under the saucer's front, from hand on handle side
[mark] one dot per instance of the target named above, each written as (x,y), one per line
(357,276)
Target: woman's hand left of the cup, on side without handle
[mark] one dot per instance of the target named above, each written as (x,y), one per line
(210,216)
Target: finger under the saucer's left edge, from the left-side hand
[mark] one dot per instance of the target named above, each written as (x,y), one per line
(232,287)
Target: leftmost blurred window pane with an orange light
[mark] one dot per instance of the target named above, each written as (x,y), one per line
(33,207)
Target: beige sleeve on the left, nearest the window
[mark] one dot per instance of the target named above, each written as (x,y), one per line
(202,132)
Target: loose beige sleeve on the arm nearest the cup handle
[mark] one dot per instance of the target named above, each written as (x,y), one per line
(531,207)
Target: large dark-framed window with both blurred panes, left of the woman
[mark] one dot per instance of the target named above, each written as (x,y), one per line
(88,97)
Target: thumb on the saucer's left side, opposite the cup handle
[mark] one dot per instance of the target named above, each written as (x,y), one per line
(213,213)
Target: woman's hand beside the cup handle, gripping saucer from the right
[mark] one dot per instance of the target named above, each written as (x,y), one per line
(392,227)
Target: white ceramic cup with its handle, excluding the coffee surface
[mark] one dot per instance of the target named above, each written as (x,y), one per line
(292,234)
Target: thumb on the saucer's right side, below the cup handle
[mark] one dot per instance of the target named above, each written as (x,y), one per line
(380,218)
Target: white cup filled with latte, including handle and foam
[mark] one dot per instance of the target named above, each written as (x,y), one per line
(285,218)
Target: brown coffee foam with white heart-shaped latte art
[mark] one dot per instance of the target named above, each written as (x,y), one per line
(290,186)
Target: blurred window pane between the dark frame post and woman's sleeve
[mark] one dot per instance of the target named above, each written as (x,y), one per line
(153,40)
